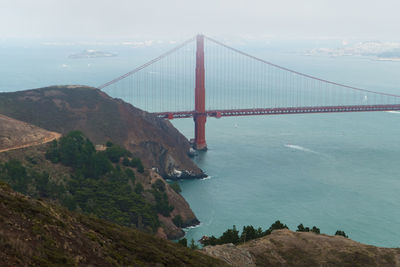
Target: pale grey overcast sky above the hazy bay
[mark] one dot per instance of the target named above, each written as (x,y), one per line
(87,19)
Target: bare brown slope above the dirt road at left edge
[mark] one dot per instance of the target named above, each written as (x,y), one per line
(16,134)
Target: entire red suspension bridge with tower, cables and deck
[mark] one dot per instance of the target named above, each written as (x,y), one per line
(203,77)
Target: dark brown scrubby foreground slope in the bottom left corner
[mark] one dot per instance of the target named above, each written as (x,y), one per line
(36,233)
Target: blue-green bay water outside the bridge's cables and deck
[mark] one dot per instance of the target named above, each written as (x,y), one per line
(335,171)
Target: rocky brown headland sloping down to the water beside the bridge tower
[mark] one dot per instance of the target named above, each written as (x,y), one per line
(102,118)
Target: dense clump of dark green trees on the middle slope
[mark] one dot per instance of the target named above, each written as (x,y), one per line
(100,188)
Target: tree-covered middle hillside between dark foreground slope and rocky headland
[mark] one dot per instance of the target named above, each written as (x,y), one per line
(89,181)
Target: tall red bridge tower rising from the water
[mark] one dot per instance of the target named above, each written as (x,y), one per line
(200,116)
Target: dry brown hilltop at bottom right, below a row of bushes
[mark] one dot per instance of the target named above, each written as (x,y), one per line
(287,248)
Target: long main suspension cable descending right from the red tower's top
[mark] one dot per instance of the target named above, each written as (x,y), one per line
(296,72)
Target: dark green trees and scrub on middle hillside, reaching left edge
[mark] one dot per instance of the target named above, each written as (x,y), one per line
(99,183)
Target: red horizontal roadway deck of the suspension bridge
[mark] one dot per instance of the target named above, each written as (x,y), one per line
(277,111)
